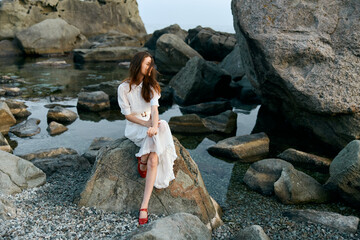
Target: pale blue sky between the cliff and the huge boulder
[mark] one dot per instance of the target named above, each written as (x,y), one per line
(157,14)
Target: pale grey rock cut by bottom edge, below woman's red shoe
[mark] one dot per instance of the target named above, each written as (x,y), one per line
(178,226)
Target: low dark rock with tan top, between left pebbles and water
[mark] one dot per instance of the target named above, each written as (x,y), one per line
(57,159)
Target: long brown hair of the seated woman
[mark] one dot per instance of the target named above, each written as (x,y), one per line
(149,82)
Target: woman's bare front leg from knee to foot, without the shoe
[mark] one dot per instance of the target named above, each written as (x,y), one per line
(152,163)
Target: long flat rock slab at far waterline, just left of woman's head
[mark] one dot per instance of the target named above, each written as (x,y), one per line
(106,54)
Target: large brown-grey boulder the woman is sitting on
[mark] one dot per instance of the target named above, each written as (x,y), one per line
(115,185)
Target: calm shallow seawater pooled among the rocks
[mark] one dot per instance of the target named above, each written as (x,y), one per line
(64,83)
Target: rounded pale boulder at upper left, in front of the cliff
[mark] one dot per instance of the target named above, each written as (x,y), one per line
(50,36)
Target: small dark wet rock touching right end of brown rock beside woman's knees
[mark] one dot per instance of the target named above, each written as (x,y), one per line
(223,123)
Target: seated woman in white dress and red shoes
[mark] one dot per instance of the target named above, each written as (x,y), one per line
(138,98)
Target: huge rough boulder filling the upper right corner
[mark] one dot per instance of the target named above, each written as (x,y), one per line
(307,61)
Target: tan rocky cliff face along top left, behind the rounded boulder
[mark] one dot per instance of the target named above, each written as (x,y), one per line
(118,15)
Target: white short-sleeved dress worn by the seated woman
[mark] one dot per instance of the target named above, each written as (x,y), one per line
(162,143)
